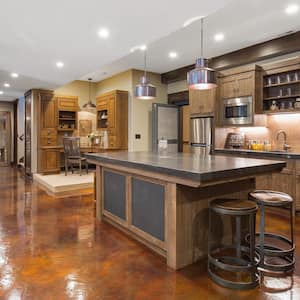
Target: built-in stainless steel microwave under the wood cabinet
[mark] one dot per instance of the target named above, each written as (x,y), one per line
(237,111)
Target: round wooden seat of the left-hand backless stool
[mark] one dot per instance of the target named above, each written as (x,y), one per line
(233,206)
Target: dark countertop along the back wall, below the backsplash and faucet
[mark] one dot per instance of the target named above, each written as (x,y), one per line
(264,154)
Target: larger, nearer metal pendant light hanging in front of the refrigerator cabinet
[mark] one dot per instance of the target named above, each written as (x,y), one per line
(202,77)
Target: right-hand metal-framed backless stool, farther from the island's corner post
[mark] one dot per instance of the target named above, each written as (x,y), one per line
(276,251)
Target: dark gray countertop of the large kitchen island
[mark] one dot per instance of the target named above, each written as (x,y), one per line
(189,166)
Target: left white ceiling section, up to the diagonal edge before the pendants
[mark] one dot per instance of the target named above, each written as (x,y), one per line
(35,34)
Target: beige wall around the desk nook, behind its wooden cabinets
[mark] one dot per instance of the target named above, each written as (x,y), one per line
(139,111)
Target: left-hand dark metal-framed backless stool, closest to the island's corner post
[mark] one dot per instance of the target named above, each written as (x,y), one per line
(231,262)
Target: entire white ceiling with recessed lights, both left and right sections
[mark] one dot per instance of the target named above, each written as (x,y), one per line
(36,34)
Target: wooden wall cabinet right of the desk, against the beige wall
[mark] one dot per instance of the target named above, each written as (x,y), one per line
(112,117)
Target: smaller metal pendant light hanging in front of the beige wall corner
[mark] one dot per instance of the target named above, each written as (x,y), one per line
(145,90)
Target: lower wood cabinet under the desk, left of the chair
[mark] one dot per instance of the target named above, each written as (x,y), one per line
(50,161)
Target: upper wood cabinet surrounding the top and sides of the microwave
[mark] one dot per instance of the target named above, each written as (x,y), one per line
(239,82)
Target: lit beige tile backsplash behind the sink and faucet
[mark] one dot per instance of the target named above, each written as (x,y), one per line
(290,123)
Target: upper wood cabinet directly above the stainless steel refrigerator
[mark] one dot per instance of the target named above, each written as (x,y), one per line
(202,101)
